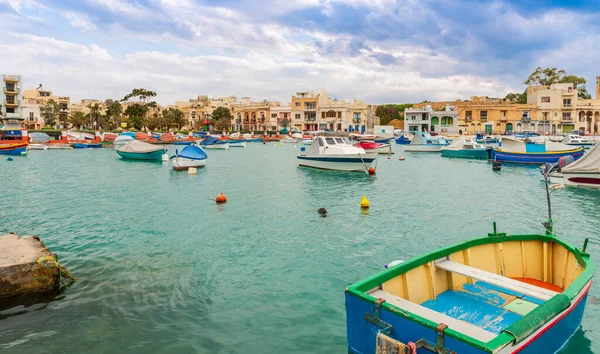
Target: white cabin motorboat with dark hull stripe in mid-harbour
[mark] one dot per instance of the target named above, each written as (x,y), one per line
(332,153)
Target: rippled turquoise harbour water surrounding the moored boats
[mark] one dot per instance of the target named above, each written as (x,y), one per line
(163,269)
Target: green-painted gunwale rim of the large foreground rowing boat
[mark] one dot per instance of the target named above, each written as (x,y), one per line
(360,288)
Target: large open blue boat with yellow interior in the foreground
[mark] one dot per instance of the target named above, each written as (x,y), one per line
(495,294)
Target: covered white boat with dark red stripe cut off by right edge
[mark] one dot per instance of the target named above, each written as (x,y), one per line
(584,172)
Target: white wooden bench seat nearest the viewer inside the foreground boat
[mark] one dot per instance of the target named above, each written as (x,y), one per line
(434,316)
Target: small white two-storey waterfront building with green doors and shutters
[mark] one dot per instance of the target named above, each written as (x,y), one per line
(426,119)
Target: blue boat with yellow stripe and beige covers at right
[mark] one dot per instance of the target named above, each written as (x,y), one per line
(517,151)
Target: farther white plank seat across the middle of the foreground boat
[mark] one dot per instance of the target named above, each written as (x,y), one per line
(495,279)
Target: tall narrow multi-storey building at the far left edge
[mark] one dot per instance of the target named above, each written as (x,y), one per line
(11,98)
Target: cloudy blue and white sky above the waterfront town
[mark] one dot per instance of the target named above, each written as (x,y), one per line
(379,51)
